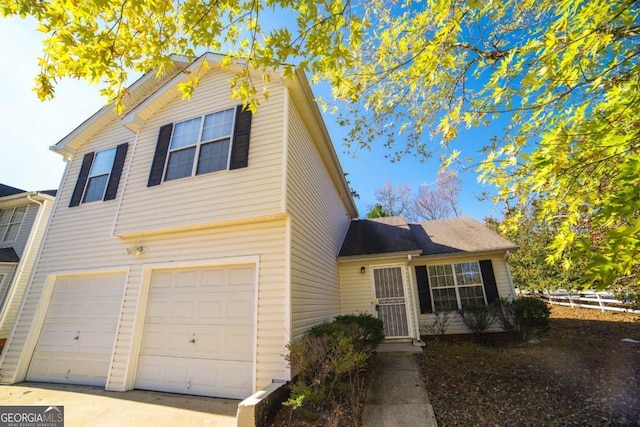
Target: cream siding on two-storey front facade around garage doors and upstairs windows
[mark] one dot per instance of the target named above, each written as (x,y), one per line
(80,238)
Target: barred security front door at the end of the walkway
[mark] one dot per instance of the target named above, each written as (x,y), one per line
(390,301)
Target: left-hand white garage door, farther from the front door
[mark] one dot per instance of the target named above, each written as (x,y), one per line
(76,341)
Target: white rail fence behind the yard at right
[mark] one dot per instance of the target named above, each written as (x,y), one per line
(604,301)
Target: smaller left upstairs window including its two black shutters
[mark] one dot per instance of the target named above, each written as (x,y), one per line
(99,175)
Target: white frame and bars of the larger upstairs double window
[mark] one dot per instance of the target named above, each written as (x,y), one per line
(199,143)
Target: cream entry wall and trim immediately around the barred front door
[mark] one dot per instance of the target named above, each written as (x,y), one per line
(357,289)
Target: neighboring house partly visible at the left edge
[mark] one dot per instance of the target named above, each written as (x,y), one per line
(23,221)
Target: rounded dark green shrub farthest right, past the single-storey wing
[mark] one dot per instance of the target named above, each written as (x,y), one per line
(527,316)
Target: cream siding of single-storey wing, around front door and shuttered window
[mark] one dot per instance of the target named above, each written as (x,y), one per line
(356,288)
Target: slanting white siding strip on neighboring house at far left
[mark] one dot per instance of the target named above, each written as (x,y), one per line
(29,239)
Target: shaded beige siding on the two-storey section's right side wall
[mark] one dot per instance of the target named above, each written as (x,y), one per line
(319,222)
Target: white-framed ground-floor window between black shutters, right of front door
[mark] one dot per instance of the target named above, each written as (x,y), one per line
(456,286)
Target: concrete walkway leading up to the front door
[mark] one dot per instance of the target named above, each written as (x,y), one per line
(396,395)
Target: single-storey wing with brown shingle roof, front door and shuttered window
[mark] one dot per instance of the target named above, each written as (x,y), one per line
(407,272)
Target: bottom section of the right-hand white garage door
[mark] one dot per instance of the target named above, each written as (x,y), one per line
(195,376)
